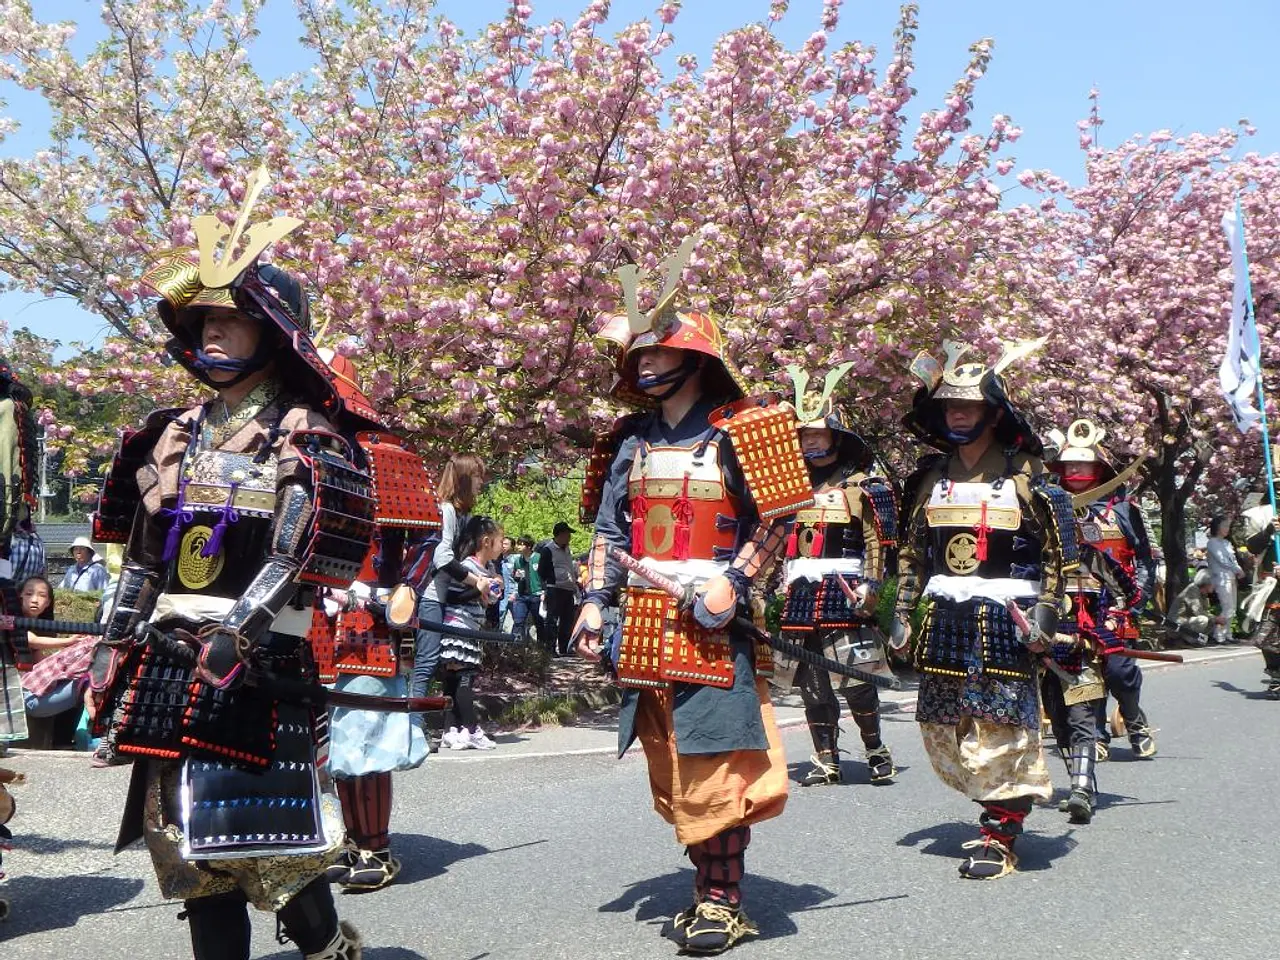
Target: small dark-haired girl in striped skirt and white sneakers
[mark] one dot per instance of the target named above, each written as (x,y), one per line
(465,606)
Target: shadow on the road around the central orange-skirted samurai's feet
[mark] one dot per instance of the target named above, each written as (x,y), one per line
(769,902)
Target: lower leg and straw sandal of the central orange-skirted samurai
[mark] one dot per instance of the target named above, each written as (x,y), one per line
(716,921)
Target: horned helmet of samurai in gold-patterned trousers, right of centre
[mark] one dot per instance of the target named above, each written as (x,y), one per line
(972,381)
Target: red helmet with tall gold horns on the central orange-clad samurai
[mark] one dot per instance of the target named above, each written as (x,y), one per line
(624,336)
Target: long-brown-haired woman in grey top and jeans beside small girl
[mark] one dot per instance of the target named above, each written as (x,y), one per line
(460,486)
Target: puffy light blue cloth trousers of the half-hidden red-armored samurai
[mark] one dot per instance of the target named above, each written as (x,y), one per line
(373,742)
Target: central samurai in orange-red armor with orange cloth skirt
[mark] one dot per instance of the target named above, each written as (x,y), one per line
(701,487)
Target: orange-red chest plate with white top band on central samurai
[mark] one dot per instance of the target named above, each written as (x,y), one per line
(679,505)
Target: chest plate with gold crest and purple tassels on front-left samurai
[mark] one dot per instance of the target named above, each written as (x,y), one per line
(231,492)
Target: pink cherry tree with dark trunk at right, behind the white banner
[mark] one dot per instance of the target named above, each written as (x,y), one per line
(1130,276)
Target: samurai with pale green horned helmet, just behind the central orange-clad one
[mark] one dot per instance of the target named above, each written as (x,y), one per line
(836,548)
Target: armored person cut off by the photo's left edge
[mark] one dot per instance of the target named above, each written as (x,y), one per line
(17,500)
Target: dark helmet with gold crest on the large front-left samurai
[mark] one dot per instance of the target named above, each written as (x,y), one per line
(226,275)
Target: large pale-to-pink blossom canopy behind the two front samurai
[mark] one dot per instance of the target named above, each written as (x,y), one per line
(468,200)
